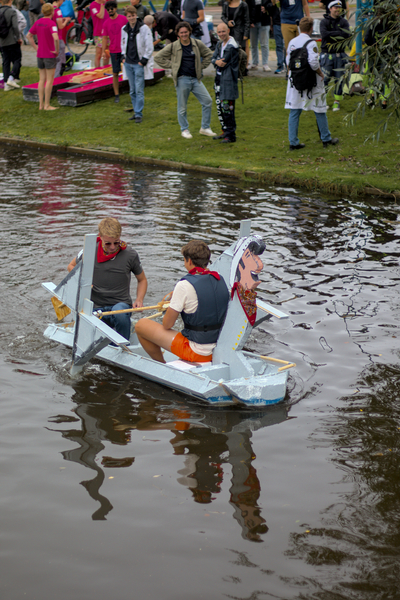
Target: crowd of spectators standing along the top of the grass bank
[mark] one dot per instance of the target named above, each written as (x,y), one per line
(128,37)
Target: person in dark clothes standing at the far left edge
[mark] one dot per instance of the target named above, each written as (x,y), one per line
(10,47)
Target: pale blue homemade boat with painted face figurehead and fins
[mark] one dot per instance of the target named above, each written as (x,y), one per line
(233,377)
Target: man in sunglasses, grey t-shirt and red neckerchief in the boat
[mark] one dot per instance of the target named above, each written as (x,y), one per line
(115,261)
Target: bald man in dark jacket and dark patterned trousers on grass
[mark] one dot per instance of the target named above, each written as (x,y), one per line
(226,62)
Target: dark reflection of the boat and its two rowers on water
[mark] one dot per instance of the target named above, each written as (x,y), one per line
(208,438)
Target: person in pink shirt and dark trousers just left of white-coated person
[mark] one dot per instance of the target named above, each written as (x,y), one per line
(112,38)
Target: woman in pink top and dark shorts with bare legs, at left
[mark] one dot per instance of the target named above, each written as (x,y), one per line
(47,50)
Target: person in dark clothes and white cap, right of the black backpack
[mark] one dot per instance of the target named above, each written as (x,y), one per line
(333,59)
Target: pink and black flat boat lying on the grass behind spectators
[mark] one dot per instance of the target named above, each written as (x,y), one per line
(70,92)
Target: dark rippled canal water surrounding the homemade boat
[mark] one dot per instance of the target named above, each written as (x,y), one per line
(113,487)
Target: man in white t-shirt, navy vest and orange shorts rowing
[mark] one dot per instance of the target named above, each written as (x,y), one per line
(201,298)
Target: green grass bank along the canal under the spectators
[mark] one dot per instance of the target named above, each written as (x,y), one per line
(352,167)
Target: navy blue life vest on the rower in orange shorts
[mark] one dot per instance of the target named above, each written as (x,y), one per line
(204,325)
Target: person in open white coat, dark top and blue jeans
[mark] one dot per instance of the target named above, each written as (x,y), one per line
(137,50)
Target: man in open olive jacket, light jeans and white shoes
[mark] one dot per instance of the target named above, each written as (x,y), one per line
(186,58)
